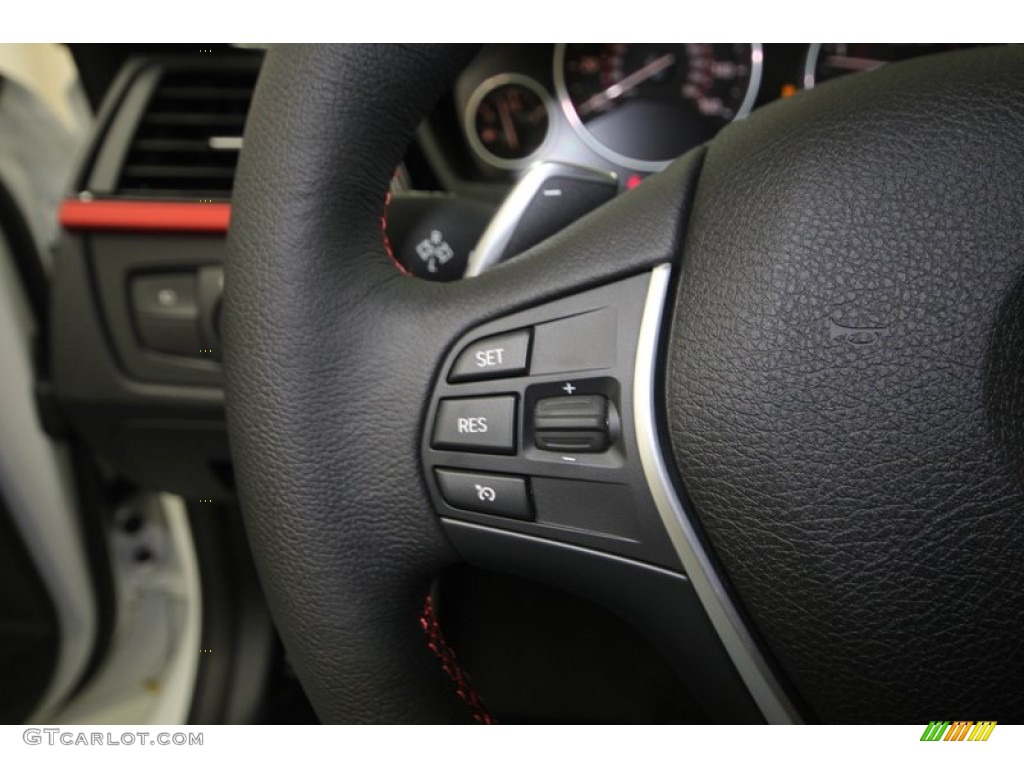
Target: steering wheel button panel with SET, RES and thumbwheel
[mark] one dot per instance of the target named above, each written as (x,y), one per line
(530,428)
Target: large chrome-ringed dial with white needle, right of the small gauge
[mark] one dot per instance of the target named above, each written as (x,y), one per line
(643,105)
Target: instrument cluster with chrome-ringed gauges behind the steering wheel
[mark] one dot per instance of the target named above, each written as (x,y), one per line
(626,108)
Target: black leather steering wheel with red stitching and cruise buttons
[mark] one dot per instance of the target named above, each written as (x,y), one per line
(834,454)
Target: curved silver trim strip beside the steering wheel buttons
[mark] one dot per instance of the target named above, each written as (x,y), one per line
(753,669)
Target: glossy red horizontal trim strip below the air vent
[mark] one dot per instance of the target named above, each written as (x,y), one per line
(139,216)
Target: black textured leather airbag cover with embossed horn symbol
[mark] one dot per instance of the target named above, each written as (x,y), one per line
(867,499)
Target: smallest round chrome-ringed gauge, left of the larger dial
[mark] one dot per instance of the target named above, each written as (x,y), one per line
(507,120)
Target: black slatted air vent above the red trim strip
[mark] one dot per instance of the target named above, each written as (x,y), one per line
(188,142)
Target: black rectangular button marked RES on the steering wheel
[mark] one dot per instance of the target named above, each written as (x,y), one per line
(480,424)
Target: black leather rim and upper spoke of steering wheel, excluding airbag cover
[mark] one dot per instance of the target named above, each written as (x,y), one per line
(331,354)
